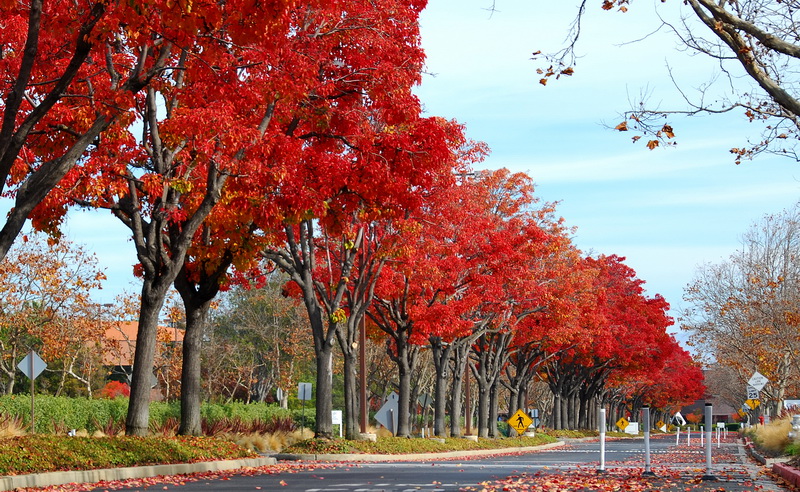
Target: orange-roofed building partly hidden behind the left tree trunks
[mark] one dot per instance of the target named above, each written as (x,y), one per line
(119,346)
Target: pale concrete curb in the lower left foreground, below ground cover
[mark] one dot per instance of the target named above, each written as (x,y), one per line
(109,474)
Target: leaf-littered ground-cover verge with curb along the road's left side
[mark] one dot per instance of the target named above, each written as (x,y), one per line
(51,460)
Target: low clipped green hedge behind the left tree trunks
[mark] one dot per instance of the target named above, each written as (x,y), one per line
(55,415)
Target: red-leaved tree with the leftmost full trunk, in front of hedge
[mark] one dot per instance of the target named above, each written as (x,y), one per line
(199,121)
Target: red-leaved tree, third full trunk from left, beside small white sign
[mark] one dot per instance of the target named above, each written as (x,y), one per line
(358,150)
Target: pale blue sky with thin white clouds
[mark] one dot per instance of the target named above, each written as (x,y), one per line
(666,211)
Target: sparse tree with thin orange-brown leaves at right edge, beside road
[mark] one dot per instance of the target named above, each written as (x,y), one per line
(744,311)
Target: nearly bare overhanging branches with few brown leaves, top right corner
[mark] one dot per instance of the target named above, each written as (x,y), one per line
(745,40)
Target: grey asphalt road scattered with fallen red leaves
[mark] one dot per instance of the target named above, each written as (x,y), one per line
(627,456)
